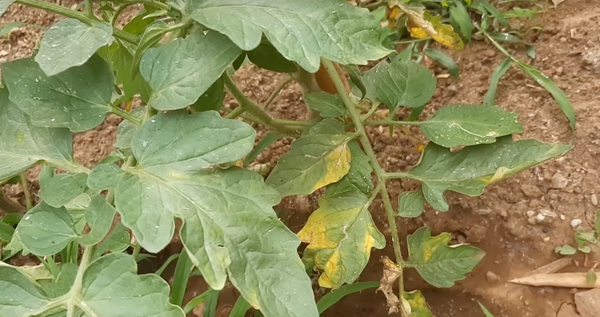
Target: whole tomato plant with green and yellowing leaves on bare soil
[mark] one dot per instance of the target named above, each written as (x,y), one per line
(182,155)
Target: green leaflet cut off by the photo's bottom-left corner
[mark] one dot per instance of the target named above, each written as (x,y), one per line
(19,298)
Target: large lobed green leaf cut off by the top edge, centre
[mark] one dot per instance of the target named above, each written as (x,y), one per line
(301,33)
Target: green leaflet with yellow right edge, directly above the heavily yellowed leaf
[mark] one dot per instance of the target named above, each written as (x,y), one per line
(315,160)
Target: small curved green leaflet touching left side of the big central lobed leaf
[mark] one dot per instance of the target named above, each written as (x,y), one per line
(99,216)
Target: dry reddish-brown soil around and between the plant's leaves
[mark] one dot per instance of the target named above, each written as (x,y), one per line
(504,220)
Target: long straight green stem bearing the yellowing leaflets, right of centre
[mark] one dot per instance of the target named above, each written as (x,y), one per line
(379,172)
